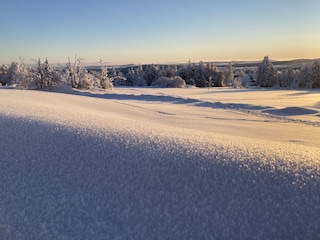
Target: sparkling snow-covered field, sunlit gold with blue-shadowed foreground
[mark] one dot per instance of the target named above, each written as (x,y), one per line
(160,163)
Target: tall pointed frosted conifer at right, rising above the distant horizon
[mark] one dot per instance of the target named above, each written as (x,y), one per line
(267,73)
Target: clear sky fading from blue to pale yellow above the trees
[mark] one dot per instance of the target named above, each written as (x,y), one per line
(149,31)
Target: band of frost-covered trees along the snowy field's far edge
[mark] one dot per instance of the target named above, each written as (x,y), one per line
(76,75)
